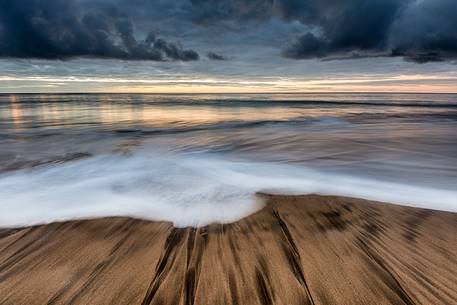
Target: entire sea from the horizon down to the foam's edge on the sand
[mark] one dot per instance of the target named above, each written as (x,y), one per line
(197,159)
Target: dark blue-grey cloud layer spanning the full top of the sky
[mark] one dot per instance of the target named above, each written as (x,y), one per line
(419,31)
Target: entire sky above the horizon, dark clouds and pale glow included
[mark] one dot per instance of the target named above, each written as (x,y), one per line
(220,46)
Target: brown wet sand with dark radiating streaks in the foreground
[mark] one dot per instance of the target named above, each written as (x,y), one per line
(297,250)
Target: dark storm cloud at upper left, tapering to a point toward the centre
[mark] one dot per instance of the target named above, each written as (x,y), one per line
(61,29)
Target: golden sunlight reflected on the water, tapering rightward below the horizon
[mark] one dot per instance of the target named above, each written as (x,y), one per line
(109,112)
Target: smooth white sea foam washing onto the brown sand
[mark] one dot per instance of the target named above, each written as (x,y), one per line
(188,190)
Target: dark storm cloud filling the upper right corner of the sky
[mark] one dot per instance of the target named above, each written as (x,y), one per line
(418,31)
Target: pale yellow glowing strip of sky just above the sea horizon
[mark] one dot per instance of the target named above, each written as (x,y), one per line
(444,83)
